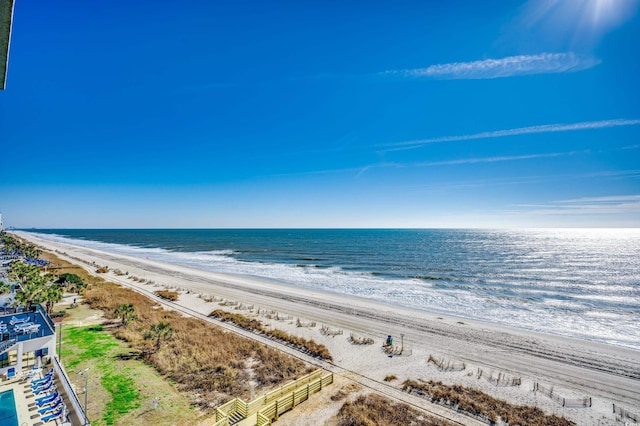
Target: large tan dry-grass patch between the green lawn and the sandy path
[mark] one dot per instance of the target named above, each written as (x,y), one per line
(199,357)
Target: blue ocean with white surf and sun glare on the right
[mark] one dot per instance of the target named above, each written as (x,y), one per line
(582,283)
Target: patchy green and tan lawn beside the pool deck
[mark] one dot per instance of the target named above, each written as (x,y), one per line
(121,387)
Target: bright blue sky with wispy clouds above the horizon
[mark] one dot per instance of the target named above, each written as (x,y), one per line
(322,114)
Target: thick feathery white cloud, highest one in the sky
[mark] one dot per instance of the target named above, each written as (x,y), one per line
(543,63)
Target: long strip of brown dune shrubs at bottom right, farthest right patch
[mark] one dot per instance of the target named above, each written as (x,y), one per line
(479,403)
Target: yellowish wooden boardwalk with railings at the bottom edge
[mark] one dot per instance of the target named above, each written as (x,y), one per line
(273,404)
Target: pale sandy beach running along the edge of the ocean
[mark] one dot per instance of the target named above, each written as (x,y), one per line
(484,356)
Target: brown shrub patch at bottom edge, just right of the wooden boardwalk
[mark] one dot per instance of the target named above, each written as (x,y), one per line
(375,410)
